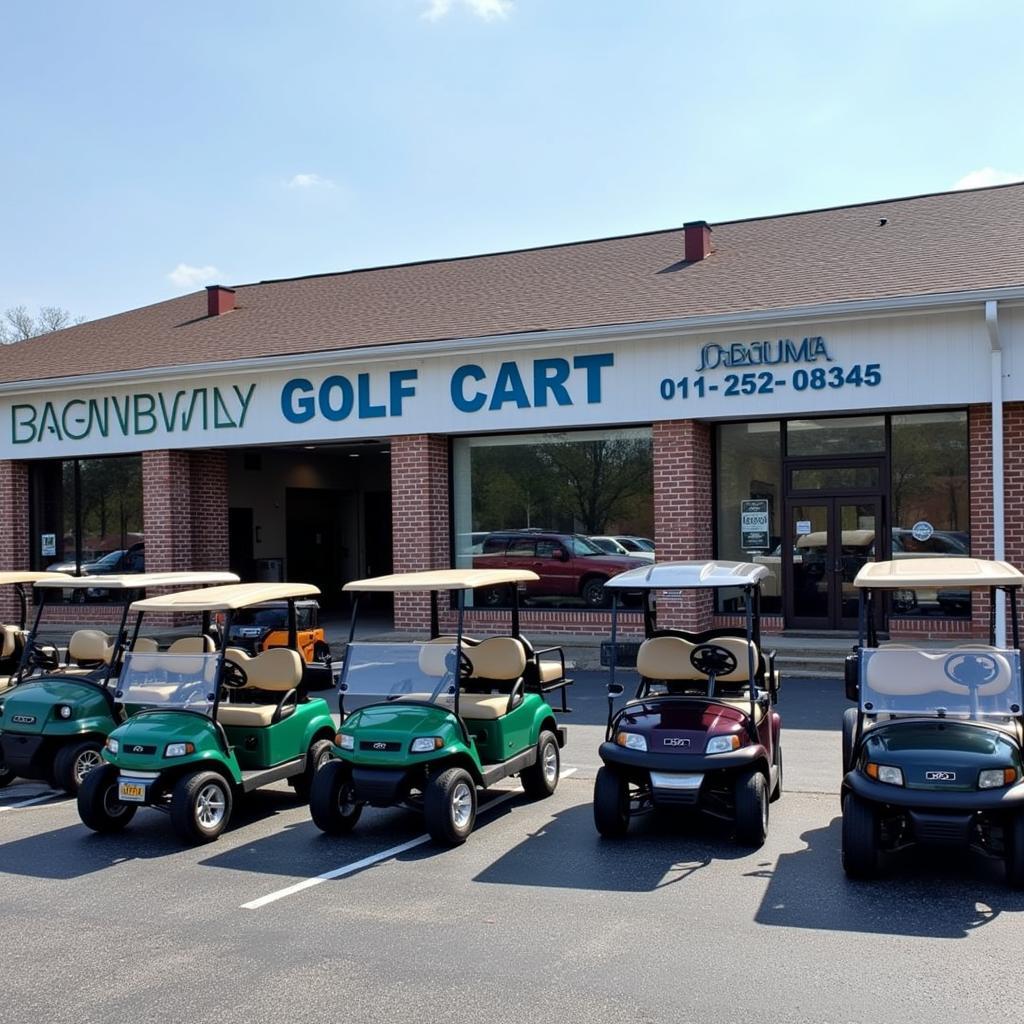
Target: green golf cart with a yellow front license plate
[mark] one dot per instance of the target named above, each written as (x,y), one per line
(210,726)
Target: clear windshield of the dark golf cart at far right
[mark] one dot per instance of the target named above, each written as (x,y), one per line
(982,682)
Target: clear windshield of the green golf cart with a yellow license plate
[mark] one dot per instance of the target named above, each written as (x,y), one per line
(184,682)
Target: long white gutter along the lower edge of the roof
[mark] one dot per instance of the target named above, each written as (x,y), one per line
(834,312)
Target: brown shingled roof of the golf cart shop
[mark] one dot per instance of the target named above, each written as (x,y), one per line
(948,242)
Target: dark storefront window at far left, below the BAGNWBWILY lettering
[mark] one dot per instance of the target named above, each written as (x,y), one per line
(87,518)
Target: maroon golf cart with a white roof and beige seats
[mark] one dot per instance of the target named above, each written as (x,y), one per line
(701,731)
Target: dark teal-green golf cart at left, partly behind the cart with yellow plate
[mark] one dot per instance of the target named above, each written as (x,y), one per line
(56,718)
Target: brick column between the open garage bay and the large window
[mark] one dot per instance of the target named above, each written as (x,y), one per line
(420,516)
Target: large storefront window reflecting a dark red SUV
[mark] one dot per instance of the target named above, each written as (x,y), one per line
(535,501)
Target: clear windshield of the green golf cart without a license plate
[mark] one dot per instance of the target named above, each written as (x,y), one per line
(378,673)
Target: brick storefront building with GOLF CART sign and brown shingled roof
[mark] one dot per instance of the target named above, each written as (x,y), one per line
(810,392)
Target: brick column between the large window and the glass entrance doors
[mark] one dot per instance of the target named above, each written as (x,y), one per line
(684,513)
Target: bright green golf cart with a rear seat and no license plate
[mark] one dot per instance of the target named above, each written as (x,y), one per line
(431,722)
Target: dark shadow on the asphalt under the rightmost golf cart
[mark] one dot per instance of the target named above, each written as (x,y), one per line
(943,894)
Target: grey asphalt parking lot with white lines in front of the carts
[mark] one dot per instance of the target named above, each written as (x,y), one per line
(535,919)
